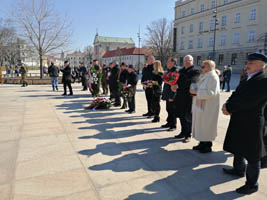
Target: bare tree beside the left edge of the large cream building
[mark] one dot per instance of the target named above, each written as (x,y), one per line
(159,38)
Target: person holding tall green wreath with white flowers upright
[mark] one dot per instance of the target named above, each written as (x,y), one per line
(96,75)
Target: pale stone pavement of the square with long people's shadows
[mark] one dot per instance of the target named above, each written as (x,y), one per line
(51,148)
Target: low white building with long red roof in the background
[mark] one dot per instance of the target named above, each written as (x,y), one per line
(131,56)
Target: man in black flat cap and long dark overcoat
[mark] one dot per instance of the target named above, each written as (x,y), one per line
(244,137)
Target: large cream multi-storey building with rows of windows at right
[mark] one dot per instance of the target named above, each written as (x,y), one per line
(241,28)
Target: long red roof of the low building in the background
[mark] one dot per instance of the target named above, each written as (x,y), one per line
(125,52)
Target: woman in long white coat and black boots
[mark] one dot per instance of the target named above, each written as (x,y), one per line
(206,106)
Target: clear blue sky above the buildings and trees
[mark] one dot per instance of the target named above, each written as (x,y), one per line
(115,18)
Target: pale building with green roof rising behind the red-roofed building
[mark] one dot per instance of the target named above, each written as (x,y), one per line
(103,44)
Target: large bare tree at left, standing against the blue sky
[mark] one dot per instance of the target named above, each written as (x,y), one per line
(41,26)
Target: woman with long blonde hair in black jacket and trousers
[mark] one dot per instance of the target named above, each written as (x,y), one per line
(157,79)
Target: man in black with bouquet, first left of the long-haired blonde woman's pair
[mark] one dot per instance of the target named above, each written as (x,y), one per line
(132,80)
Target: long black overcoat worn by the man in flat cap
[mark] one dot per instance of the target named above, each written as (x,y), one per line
(246,128)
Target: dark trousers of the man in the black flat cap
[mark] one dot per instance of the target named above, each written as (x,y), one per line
(252,169)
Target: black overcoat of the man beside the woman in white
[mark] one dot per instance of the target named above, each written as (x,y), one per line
(183,99)
